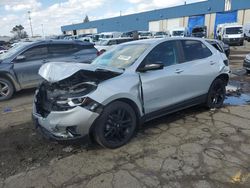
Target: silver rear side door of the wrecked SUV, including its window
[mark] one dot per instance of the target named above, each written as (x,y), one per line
(199,67)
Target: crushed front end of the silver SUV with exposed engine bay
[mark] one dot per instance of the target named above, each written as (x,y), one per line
(63,108)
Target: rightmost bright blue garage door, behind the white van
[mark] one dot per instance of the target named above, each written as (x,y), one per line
(225,17)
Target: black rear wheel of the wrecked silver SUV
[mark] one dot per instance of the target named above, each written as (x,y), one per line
(216,94)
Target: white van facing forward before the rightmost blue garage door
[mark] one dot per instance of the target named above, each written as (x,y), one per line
(232,34)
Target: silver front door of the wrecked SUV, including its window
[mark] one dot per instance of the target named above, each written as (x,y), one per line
(162,88)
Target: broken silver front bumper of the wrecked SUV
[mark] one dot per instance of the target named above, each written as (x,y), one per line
(65,125)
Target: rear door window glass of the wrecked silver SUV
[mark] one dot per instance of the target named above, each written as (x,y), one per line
(194,50)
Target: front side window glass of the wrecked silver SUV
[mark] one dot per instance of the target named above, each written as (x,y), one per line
(165,53)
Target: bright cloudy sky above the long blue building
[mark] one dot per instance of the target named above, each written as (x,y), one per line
(52,14)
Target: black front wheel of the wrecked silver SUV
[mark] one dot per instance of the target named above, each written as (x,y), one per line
(116,125)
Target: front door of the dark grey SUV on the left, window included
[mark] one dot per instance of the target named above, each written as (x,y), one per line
(26,68)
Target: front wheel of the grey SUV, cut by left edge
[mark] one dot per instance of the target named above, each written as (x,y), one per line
(6,89)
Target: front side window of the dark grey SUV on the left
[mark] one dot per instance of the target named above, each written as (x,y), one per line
(37,52)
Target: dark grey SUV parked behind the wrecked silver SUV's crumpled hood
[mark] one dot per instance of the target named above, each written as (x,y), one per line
(19,65)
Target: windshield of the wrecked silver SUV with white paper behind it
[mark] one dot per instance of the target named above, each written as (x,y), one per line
(122,56)
